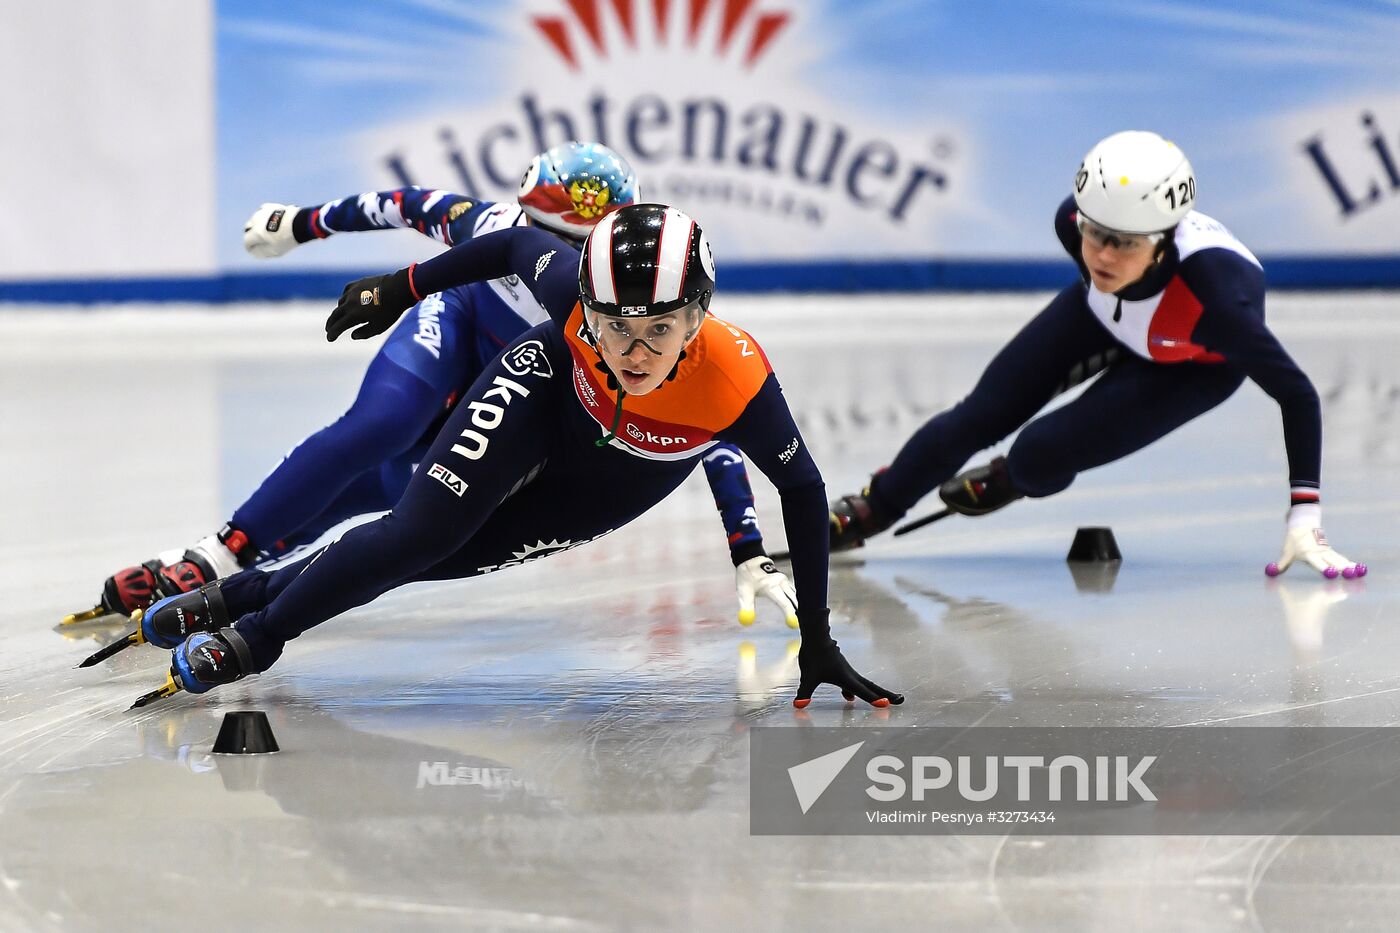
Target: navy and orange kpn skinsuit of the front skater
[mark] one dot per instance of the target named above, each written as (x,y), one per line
(517,467)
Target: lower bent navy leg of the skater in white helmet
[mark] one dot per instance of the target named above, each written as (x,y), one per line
(1135,404)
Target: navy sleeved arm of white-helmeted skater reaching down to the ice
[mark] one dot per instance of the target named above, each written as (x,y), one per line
(1231,292)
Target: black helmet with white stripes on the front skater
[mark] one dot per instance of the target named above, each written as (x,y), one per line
(643,261)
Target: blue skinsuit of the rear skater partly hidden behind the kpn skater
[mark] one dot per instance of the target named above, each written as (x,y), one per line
(362,463)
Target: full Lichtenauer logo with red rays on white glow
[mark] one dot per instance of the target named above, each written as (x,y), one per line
(747,114)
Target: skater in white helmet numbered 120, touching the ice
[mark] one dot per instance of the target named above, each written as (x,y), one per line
(1170,317)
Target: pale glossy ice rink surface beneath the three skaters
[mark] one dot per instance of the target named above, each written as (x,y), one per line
(565,746)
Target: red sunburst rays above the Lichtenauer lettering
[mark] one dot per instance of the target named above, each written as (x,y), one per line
(587,18)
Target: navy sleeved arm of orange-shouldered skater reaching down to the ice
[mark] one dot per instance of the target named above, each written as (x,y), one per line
(769,436)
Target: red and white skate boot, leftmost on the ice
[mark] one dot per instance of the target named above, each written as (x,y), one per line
(171,574)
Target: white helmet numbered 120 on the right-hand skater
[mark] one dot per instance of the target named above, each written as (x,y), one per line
(1135,183)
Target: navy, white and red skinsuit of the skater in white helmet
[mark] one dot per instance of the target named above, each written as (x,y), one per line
(1170,348)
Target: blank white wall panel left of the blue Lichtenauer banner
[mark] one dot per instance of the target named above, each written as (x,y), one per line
(108,158)
